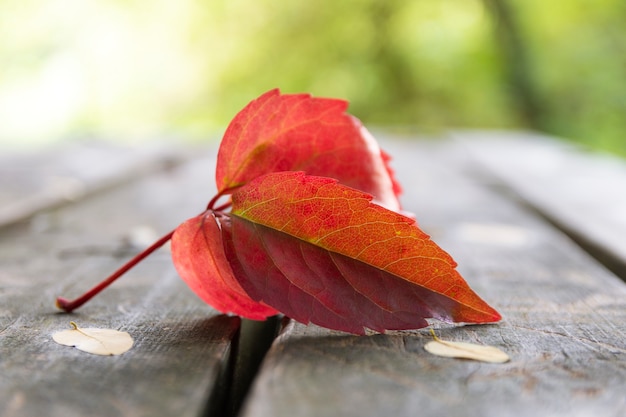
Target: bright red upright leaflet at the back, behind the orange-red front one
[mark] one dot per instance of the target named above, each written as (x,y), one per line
(296,132)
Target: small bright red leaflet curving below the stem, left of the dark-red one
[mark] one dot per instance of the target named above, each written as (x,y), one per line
(199,258)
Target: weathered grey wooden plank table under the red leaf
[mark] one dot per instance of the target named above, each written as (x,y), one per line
(538,229)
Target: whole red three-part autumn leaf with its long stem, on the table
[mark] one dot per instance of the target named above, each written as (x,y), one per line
(314,232)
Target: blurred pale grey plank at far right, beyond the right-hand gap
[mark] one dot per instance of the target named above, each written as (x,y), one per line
(582,193)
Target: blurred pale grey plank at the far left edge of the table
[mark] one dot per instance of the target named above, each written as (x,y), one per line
(31,182)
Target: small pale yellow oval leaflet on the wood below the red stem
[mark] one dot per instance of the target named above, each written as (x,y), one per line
(93,340)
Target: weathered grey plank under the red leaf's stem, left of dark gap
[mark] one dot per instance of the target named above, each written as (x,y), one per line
(181,360)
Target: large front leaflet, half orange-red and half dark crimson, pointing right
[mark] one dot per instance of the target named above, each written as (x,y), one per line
(322,252)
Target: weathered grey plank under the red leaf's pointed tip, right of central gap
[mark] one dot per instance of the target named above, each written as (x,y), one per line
(564,320)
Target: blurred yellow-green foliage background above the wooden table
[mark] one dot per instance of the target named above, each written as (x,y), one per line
(139,69)
